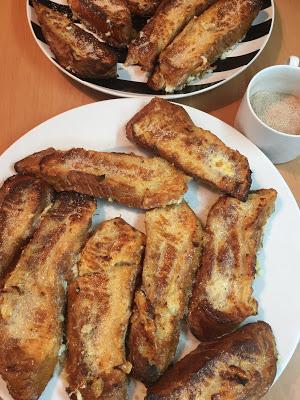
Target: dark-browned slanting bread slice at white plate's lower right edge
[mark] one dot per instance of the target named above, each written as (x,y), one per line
(241,365)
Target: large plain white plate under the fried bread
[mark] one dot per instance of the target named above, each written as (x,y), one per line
(100,126)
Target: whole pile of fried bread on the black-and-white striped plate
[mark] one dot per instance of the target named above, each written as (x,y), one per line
(181,40)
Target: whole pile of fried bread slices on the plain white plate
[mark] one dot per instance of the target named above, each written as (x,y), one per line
(124,295)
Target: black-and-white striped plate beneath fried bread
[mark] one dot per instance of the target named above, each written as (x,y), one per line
(131,81)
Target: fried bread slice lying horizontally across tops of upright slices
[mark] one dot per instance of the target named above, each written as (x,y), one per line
(125,178)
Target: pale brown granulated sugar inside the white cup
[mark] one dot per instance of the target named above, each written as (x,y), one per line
(281,111)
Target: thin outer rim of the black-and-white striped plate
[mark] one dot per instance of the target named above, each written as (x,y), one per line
(121,93)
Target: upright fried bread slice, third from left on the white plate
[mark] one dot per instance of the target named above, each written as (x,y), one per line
(99,307)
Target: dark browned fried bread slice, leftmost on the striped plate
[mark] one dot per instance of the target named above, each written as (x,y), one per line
(75,49)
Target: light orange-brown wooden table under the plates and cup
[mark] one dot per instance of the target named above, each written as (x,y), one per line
(33,90)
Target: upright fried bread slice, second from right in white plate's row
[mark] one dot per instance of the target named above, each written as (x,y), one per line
(173,249)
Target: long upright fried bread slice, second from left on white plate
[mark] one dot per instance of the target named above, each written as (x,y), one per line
(32,301)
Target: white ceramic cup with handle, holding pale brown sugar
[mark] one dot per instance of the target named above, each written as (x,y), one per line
(279,147)
